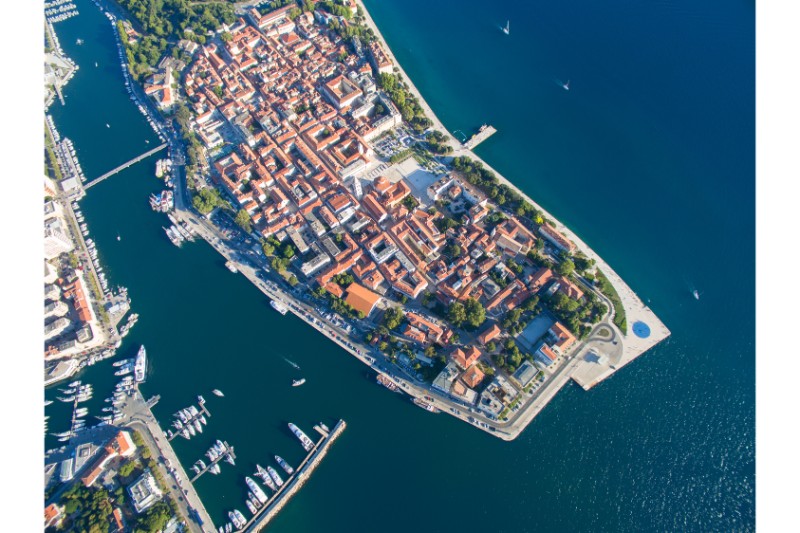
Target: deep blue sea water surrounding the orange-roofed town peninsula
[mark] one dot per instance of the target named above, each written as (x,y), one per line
(649,158)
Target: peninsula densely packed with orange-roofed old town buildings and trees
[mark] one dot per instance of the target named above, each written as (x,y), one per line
(303,153)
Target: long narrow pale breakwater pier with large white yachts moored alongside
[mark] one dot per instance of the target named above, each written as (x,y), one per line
(296,480)
